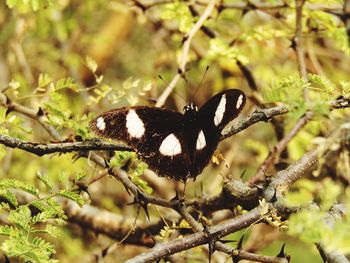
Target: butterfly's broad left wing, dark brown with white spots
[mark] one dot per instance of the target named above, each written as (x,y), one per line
(156,134)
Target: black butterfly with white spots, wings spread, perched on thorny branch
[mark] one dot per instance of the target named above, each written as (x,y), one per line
(173,144)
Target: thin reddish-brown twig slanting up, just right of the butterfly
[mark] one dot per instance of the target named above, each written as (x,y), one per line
(277,150)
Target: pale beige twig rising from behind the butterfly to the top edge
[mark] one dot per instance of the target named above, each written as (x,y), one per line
(185,50)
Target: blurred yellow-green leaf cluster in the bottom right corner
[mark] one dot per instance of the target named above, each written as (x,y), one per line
(314,223)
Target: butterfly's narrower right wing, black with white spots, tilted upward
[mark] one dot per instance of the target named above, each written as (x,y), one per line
(213,116)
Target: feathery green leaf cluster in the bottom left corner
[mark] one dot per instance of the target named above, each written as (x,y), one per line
(30,216)
